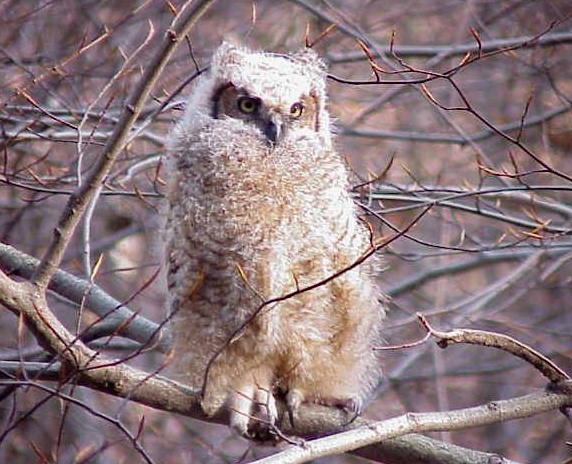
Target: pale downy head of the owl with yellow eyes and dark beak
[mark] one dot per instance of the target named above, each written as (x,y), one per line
(275,93)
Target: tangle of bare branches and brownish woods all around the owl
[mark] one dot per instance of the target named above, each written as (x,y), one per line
(456,118)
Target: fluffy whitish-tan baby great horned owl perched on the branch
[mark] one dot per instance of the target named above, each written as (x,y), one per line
(258,208)
